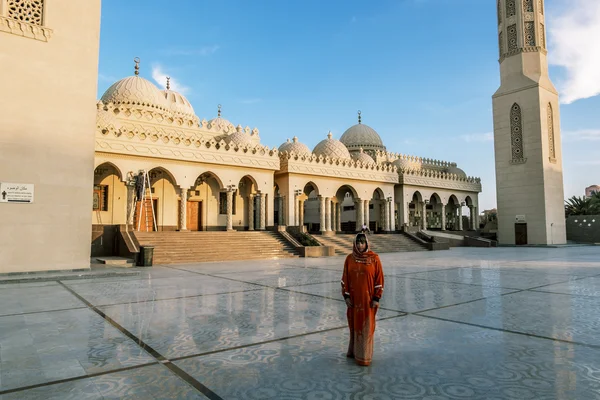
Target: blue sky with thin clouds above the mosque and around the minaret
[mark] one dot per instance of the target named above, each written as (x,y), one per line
(421,71)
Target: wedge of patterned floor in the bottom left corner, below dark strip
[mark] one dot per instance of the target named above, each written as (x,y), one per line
(152,382)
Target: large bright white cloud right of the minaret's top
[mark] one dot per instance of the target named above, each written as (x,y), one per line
(574,32)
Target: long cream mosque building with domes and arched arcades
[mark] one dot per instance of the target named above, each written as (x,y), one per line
(215,175)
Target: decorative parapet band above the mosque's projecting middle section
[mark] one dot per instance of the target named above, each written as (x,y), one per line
(311,164)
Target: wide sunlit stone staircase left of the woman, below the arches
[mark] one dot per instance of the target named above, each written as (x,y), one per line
(190,247)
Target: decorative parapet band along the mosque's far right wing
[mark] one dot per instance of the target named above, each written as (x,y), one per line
(439,179)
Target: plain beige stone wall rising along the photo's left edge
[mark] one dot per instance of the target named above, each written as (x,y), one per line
(49,58)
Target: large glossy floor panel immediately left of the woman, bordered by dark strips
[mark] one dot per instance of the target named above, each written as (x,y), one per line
(194,325)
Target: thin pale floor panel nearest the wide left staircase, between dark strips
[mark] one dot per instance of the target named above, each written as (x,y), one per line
(156,289)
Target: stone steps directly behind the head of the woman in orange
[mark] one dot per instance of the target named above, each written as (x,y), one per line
(378,243)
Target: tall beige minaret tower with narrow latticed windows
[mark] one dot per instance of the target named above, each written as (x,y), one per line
(529,179)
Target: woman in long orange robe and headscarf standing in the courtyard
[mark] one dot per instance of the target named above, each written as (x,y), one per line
(362,287)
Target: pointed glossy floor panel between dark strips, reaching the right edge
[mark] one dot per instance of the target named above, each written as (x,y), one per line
(558,316)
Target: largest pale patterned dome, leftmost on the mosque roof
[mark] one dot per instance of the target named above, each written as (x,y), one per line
(135,90)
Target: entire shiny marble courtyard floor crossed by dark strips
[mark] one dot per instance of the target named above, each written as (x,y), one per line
(488,324)
